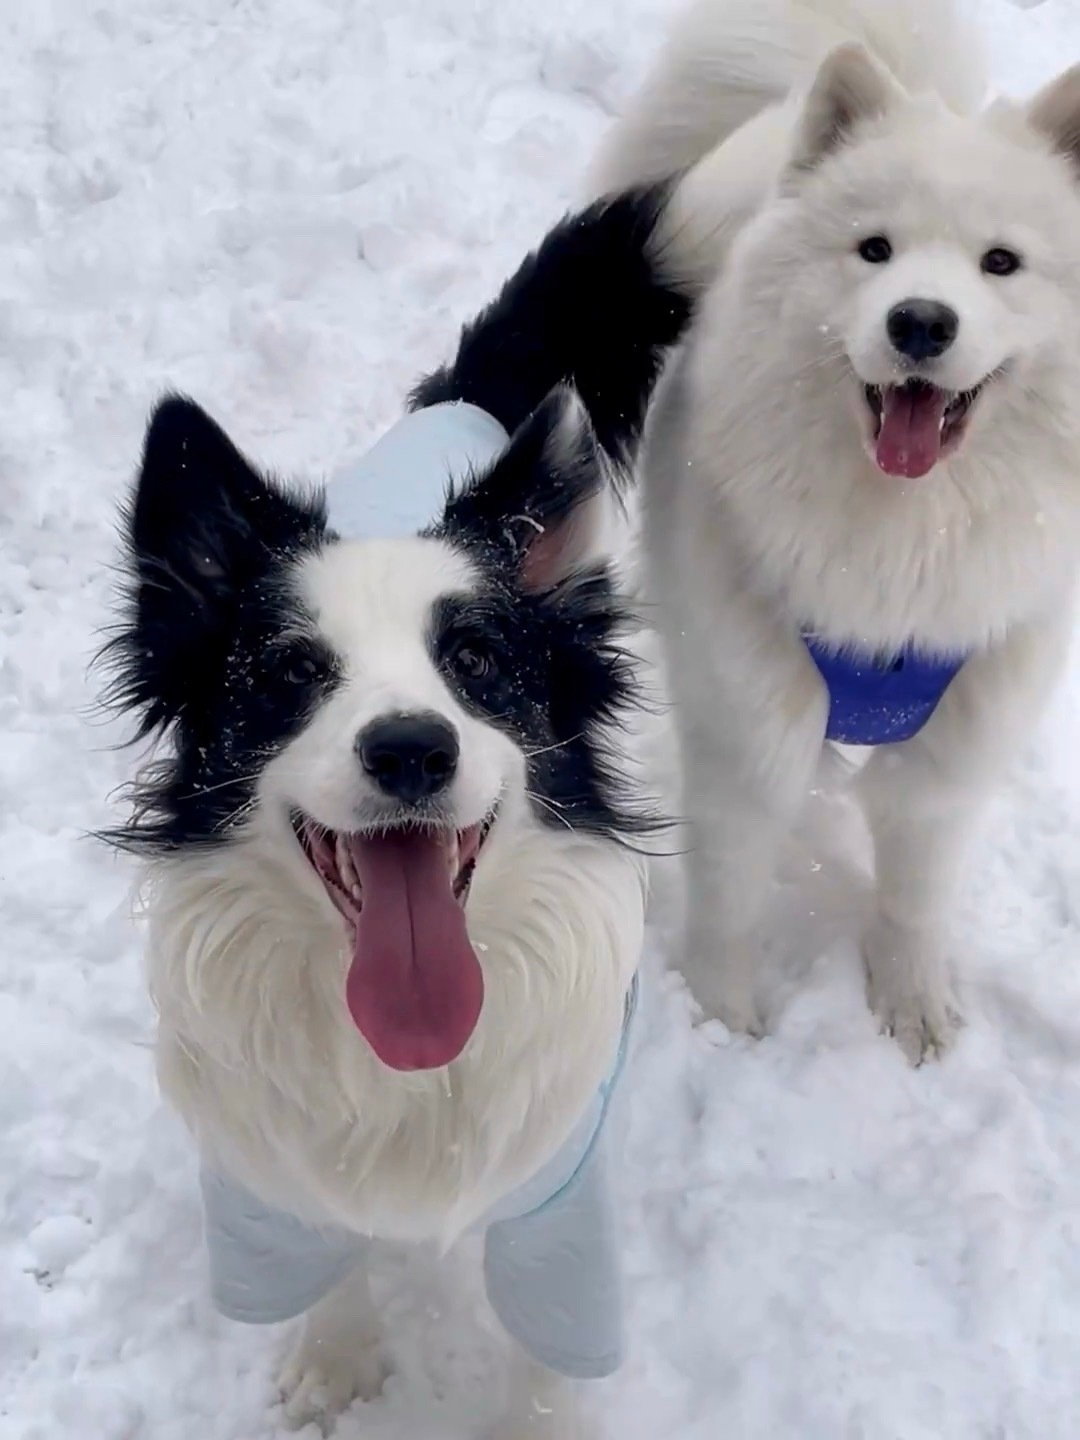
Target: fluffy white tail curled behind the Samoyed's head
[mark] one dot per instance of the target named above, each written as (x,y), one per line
(729,60)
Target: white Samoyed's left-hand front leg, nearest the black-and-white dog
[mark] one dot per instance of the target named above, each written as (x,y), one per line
(748,760)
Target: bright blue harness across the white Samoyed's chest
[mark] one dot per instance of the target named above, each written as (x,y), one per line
(882,701)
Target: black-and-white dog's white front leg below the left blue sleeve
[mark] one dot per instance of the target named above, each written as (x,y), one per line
(336,1357)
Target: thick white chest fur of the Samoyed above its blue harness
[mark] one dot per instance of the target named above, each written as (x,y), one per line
(781,495)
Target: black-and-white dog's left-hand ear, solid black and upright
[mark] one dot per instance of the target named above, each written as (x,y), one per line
(202,528)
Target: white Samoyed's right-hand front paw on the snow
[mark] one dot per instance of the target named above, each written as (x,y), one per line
(911,994)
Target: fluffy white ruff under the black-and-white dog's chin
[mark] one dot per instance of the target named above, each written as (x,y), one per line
(260,1056)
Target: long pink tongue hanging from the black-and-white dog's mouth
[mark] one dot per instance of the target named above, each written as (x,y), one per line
(415,987)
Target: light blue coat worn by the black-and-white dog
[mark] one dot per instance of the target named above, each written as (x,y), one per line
(551,1258)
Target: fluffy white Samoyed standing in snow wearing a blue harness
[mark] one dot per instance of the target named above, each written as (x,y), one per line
(862,485)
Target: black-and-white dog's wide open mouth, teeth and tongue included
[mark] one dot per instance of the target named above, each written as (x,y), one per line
(415,987)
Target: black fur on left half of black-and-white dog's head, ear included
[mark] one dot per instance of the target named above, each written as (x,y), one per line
(210,545)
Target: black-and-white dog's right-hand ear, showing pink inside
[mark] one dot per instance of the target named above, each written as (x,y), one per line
(539,509)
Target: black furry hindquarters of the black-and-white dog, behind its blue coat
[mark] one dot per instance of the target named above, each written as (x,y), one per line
(591,307)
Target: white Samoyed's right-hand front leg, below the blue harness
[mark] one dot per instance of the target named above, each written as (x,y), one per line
(924,798)
